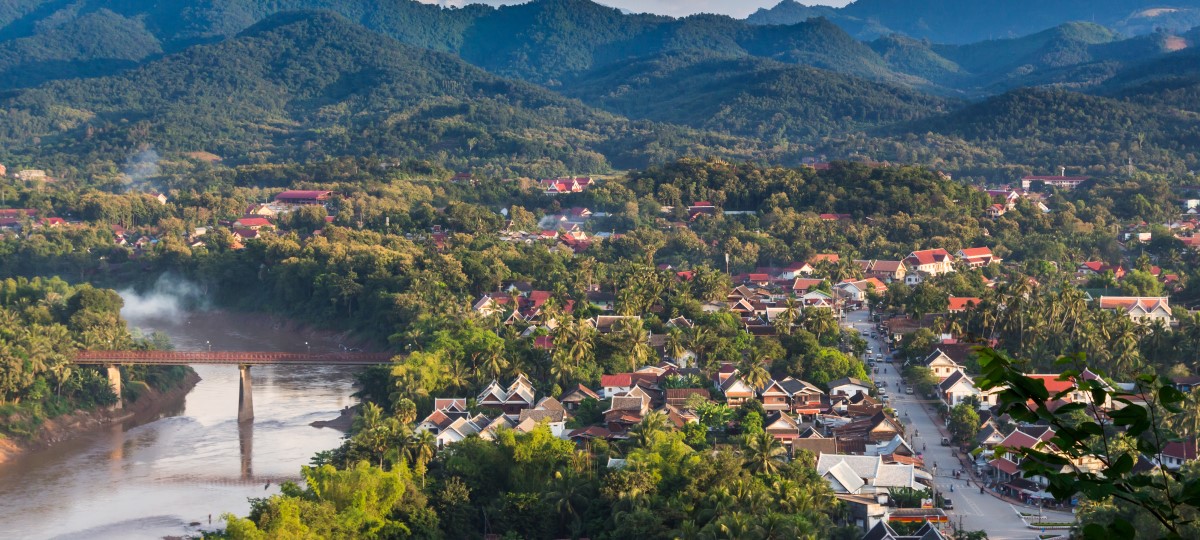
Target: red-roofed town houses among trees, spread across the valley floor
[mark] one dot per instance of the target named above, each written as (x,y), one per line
(885,404)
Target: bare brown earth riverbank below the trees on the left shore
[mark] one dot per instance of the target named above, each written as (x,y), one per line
(52,431)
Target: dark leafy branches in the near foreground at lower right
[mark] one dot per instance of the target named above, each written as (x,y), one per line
(1169,501)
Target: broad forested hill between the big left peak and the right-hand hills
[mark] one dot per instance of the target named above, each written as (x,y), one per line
(751,98)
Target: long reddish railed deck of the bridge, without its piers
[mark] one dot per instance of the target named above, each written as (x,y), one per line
(231,358)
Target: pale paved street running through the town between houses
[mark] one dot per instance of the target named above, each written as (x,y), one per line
(975,511)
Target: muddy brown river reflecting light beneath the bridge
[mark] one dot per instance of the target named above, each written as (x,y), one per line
(154,477)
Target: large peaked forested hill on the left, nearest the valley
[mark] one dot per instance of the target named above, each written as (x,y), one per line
(309,85)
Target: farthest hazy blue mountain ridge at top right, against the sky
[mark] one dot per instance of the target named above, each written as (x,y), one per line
(965,22)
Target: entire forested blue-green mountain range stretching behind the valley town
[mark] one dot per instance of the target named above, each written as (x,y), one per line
(571,86)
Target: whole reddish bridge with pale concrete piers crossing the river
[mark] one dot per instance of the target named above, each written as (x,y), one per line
(112,361)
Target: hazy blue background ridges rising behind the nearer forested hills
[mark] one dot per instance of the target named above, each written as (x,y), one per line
(551,41)
